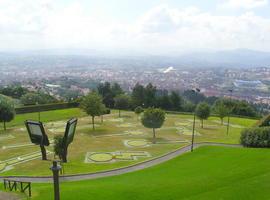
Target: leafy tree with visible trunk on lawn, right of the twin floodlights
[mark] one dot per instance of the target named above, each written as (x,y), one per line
(93,106)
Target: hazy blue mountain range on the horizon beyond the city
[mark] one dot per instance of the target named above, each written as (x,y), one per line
(239,58)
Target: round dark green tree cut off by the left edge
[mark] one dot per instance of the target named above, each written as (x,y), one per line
(7,112)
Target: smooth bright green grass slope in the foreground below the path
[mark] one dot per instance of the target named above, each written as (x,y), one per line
(207,173)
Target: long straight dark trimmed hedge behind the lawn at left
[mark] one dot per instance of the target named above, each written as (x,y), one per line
(45,107)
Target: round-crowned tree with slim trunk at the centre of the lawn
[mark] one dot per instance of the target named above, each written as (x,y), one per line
(153,118)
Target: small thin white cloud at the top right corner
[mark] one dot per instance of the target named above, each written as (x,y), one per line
(246,4)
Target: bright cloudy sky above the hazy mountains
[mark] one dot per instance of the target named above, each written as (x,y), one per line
(150,26)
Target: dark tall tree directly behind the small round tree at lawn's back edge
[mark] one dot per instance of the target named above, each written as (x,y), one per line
(138,95)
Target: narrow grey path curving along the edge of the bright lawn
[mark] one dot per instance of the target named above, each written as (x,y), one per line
(139,166)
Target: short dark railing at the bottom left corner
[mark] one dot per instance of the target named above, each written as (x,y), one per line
(13,185)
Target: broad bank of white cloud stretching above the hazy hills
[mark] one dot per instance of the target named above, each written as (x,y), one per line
(160,30)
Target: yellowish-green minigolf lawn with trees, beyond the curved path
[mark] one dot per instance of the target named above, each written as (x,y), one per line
(109,136)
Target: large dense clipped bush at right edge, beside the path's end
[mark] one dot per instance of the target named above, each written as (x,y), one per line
(256,137)
